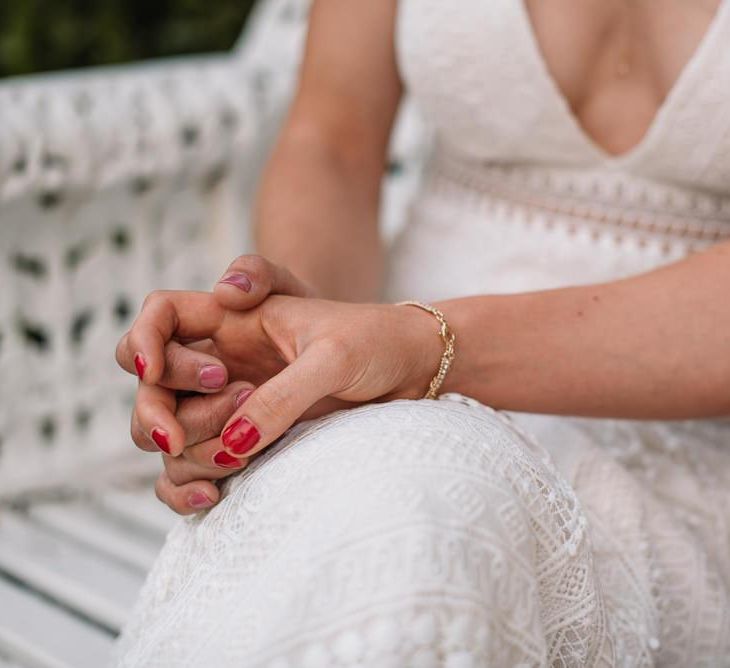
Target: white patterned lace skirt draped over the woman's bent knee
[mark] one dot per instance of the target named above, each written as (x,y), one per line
(435,533)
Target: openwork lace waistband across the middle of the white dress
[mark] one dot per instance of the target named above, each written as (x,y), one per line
(613,205)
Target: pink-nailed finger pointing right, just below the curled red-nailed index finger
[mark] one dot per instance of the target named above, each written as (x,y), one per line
(189,369)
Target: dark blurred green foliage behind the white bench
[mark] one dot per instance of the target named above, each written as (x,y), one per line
(43,35)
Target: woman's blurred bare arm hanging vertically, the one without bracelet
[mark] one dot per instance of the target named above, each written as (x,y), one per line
(318,206)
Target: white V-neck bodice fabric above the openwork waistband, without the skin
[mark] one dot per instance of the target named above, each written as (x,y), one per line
(480,79)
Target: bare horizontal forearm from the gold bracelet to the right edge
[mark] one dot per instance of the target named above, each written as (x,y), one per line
(652,346)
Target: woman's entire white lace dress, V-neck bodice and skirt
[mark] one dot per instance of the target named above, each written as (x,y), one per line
(443,533)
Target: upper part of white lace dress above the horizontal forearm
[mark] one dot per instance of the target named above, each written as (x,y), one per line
(516,196)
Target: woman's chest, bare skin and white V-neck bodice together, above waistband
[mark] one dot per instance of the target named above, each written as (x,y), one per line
(574,83)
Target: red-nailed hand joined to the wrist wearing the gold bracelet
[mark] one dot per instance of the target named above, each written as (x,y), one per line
(298,351)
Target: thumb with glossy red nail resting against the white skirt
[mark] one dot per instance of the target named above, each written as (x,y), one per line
(276,405)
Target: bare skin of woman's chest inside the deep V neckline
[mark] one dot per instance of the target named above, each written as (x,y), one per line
(616,61)
